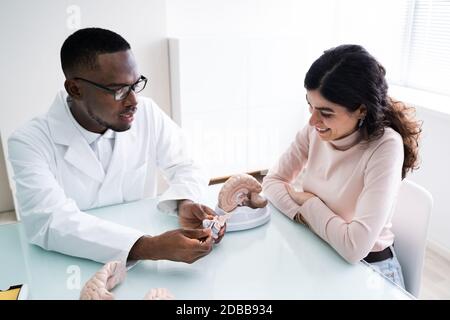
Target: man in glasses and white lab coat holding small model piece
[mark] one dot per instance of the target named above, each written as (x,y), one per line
(98,145)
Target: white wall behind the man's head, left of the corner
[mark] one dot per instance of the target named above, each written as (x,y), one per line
(32,33)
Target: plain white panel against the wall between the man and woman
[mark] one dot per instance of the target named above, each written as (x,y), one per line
(239,100)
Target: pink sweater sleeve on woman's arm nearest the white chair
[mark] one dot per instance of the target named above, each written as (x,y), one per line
(382,177)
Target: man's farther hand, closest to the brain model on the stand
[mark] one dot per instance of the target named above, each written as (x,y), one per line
(191,215)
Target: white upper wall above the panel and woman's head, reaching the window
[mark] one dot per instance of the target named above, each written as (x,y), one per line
(321,24)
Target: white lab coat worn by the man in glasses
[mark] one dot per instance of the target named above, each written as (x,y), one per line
(57,175)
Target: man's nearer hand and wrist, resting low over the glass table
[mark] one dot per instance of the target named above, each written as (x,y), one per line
(185,245)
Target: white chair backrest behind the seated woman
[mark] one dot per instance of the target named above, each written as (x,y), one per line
(410,223)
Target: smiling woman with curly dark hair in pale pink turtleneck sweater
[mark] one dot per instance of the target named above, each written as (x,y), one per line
(355,151)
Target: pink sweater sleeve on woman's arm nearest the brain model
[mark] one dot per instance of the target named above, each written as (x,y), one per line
(284,172)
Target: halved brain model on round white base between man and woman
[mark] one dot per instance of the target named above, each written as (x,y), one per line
(241,190)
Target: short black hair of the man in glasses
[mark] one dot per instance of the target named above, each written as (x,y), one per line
(81,48)
